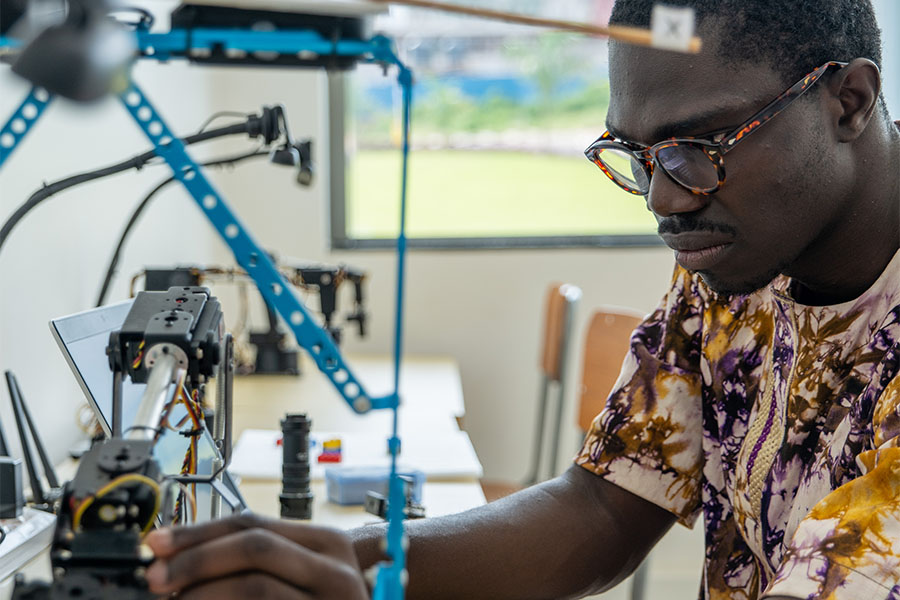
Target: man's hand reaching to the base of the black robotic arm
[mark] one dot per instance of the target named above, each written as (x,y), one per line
(253,557)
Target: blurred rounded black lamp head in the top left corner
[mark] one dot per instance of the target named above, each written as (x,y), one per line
(84,58)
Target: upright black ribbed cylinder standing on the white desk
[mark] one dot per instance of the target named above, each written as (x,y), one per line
(296,497)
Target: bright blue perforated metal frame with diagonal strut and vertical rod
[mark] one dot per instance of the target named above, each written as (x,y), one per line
(391,575)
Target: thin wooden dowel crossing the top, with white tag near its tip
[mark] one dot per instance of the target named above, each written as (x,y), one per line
(631,35)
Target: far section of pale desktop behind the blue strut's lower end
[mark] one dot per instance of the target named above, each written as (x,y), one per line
(430,392)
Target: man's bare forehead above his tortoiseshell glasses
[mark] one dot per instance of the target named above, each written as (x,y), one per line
(655,94)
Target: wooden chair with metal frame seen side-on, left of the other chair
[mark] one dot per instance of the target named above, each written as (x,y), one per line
(559,309)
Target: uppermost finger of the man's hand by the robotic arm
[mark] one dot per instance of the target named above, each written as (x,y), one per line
(168,541)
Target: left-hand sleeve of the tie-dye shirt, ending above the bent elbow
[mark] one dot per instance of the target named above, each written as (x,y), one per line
(647,439)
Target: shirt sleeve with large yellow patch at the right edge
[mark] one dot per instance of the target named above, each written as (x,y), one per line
(848,547)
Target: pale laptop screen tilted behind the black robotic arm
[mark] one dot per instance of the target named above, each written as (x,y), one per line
(83,338)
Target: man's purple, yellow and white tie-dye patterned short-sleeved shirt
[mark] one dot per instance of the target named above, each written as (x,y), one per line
(780,423)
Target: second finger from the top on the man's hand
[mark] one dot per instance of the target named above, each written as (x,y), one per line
(255,550)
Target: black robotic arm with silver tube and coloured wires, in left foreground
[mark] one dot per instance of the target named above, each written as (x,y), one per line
(172,342)
